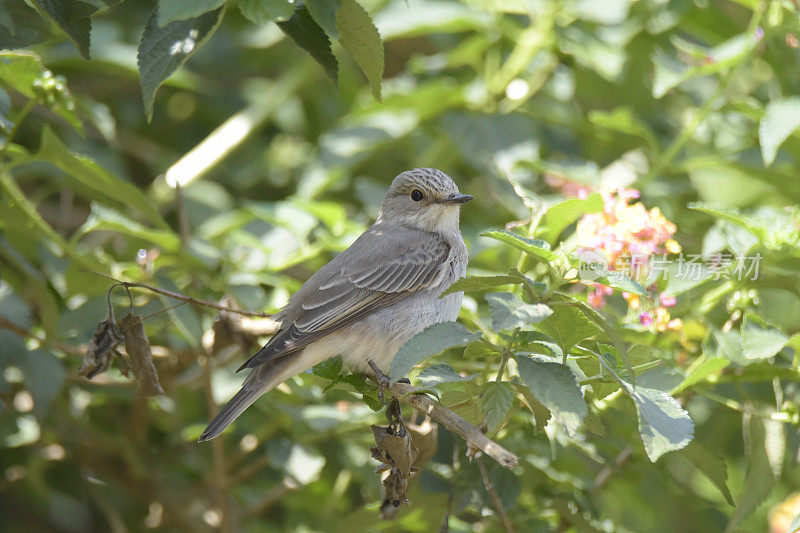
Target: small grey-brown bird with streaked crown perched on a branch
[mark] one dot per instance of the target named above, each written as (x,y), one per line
(371,298)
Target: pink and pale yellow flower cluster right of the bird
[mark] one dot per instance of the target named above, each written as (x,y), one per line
(626,233)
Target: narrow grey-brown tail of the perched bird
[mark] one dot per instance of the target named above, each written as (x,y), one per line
(260,380)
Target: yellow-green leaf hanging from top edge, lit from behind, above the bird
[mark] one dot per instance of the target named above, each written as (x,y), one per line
(360,37)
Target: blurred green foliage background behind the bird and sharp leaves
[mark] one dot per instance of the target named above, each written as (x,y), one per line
(684,100)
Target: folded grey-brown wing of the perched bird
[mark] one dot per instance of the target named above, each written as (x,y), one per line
(370,276)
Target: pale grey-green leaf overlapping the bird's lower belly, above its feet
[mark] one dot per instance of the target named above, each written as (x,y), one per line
(430,341)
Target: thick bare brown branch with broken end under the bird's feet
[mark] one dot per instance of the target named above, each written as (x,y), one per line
(405,393)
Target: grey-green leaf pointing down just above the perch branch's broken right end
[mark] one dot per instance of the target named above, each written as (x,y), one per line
(554,385)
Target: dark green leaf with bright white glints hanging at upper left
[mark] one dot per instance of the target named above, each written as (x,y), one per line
(162,50)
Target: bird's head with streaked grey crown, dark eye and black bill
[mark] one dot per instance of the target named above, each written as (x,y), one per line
(423,198)
